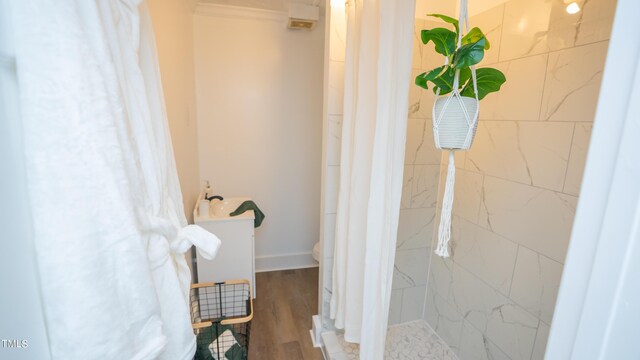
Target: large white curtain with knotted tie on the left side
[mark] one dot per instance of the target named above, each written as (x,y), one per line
(109,230)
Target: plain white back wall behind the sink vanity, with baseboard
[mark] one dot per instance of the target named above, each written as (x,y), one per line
(259,96)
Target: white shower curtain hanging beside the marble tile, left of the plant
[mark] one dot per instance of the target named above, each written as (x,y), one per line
(377,78)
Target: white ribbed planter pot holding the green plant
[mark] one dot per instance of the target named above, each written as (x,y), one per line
(453,126)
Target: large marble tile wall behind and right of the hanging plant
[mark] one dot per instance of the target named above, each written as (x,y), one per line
(517,188)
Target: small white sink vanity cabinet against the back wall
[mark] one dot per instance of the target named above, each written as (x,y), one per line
(235,259)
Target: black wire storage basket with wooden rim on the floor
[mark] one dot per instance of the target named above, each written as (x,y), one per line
(221,315)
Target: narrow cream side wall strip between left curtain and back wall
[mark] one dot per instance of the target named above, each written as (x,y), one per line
(173,24)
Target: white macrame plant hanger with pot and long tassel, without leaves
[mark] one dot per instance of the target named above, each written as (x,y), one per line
(454,124)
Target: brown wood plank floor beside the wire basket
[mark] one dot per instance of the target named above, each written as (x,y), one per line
(282,315)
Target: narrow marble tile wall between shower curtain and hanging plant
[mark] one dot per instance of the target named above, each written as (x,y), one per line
(419,195)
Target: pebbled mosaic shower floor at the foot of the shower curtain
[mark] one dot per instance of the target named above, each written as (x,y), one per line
(410,341)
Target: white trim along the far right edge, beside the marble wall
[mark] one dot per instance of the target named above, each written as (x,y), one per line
(596,316)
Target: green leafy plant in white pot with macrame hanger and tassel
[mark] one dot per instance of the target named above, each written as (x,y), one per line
(459,87)
